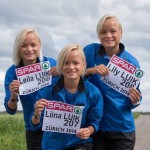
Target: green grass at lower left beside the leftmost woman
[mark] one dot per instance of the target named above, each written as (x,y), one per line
(12,132)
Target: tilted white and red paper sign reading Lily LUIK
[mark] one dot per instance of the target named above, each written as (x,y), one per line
(123,75)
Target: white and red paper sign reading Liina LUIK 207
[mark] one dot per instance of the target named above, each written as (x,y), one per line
(62,117)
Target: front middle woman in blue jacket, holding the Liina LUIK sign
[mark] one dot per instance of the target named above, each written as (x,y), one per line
(72,89)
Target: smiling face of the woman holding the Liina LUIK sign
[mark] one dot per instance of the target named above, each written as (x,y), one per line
(74,65)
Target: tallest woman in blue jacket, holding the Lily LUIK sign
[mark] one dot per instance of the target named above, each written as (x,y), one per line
(117,129)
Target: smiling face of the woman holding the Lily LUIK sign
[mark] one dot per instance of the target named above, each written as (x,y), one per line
(110,34)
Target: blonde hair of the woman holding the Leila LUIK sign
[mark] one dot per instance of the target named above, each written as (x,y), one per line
(19,42)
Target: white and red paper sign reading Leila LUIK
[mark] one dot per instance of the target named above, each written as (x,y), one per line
(33,77)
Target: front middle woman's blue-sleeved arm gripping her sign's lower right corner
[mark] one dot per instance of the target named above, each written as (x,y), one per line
(94,115)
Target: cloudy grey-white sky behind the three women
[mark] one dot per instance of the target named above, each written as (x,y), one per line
(60,22)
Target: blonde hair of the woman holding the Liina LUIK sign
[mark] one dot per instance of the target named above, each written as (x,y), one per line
(65,52)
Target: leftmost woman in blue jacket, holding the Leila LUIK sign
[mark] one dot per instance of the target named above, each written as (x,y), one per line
(27,50)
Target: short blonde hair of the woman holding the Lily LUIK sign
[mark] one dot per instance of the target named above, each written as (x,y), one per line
(103,19)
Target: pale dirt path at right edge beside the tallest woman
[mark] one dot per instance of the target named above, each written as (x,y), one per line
(142,133)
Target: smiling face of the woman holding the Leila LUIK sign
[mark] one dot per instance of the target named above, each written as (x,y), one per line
(30,49)
